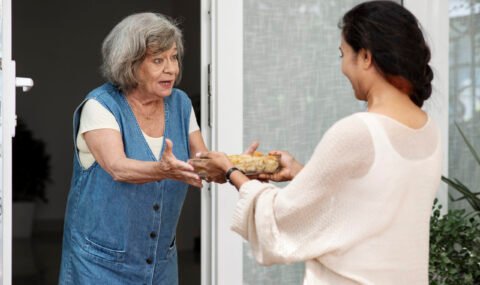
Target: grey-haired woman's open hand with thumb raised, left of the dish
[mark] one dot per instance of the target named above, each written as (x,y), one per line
(175,169)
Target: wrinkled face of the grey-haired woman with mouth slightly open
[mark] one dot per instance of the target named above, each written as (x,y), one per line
(157,73)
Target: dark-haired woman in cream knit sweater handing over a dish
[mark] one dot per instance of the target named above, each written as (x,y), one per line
(358,212)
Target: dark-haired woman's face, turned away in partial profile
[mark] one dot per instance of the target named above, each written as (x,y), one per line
(350,67)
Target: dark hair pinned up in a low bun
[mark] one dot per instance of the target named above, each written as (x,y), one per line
(393,36)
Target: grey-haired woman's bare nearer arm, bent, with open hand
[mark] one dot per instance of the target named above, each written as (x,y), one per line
(106,145)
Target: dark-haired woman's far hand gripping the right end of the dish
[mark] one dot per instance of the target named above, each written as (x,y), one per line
(289,167)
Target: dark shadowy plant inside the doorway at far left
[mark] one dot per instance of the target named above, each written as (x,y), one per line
(30,166)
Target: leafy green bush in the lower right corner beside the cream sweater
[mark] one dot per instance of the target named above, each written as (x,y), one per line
(454,247)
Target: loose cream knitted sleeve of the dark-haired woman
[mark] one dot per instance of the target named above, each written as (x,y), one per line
(305,219)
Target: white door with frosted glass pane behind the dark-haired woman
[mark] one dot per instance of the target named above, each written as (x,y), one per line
(276,78)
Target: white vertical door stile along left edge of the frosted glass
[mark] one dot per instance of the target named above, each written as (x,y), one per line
(227,133)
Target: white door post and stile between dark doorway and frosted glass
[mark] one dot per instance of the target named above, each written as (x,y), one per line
(222,89)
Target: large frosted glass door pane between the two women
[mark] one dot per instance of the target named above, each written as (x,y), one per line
(293,89)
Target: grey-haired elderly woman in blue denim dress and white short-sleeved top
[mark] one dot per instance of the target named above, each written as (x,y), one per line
(132,137)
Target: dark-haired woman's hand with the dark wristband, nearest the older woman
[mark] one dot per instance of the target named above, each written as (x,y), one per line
(214,163)
